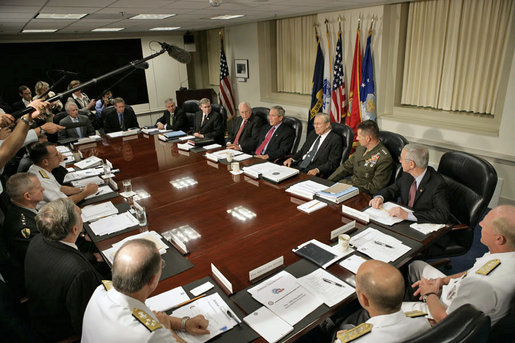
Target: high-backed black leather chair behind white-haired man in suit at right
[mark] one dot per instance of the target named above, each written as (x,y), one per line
(471,183)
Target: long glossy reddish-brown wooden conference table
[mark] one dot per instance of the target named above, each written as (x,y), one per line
(233,245)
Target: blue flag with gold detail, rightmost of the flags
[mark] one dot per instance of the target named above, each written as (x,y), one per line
(366,92)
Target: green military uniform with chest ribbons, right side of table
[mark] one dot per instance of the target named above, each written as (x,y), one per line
(370,171)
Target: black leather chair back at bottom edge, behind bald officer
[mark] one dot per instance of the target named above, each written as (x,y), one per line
(465,324)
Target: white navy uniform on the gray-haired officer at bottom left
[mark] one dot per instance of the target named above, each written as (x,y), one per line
(108,318)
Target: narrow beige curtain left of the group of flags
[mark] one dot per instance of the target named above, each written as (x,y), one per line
(296,53)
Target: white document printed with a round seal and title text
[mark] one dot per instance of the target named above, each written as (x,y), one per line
(284,296)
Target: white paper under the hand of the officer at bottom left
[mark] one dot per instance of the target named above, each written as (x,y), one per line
(214,309)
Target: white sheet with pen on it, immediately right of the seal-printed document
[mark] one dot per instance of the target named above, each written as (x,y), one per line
(330,293)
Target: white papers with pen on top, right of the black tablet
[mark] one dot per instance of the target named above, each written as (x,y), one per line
(378,245)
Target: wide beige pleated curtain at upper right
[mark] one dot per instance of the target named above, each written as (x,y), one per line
(454,53)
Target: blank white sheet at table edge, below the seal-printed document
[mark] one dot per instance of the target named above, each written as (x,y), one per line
(268,325)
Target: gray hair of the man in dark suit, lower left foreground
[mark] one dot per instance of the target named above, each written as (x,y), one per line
(56,219)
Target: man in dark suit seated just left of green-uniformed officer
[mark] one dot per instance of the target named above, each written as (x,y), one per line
(322,152)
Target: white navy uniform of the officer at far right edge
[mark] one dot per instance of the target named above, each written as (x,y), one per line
(491,293)
